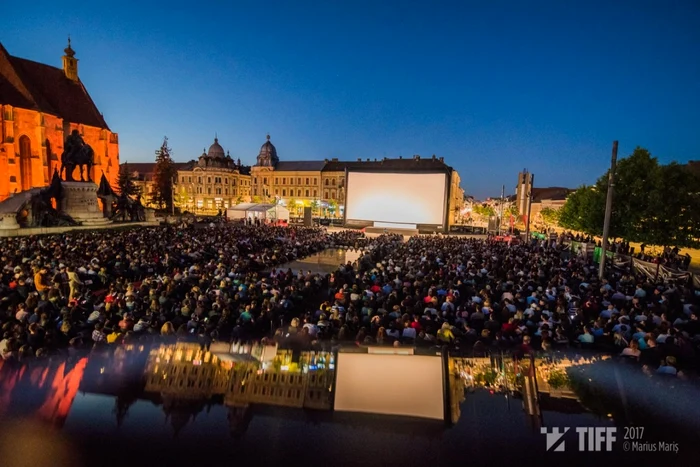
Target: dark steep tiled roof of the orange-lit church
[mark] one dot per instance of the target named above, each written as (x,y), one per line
(35,86)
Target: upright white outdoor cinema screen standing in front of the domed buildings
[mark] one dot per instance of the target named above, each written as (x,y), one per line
(401,198)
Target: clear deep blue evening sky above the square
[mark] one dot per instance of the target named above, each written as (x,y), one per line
(492,86)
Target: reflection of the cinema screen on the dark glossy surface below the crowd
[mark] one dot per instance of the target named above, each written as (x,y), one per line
(408,385)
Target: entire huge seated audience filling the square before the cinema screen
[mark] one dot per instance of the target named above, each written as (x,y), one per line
(227,281)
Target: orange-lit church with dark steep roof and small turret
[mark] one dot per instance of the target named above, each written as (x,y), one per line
(40,105)
